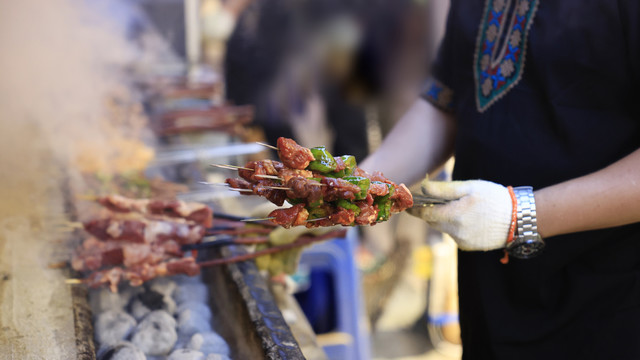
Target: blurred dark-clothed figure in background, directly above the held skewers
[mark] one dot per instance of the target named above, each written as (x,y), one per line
(284,57)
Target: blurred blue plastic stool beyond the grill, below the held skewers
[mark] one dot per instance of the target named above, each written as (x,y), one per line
(333,303)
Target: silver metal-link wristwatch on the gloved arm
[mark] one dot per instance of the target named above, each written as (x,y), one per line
(526,243)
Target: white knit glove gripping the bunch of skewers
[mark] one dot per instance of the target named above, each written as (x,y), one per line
(477,218)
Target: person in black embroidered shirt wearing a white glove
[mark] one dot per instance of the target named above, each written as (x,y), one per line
(535,93)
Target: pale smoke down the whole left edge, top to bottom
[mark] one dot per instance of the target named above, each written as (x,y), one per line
(65,107)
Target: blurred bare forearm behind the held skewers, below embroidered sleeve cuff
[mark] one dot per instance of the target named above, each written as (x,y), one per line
(419,143)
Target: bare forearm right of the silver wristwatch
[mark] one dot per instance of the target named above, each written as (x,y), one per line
(607,198)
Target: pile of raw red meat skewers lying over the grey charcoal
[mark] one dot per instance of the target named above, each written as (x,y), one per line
(137,243)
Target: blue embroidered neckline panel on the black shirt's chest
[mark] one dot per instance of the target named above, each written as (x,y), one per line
(501,48)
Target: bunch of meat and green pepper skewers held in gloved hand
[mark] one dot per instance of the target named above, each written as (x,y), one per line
(331,188)
